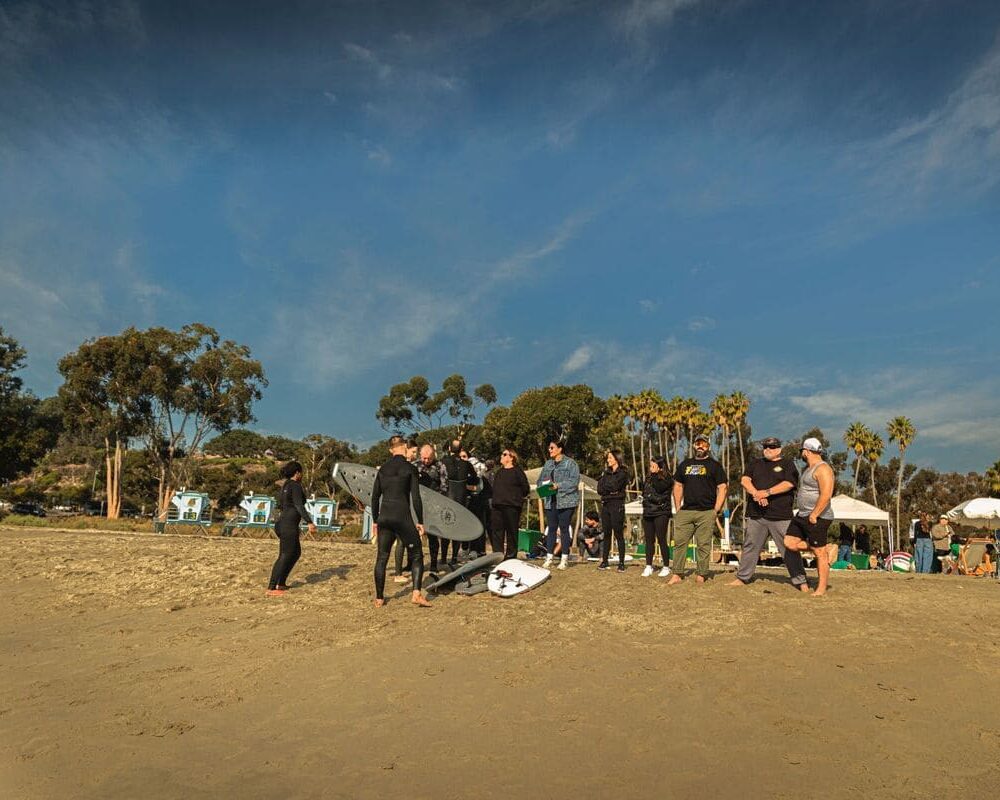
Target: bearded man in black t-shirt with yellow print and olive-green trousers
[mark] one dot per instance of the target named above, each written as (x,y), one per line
(699,493)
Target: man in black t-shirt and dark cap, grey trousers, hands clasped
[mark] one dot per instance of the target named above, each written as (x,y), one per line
(770,485)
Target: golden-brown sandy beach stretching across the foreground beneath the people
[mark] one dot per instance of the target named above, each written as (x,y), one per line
(155,667)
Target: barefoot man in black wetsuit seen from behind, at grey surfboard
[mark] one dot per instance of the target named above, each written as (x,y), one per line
(396,487)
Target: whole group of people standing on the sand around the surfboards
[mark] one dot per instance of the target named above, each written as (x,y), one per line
(693,496)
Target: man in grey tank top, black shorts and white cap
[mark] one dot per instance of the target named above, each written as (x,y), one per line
(807,530)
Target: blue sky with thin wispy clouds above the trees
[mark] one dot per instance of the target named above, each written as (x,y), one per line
(798,199)
